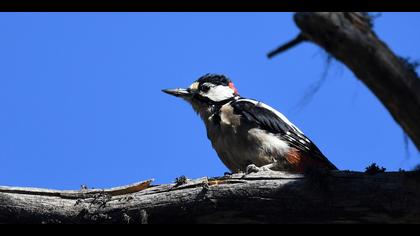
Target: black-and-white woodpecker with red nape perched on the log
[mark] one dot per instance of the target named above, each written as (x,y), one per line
(248,135)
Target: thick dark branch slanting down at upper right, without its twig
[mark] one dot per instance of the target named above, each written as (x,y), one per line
(348,37)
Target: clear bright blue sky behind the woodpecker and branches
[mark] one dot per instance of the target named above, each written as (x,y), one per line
(81,100)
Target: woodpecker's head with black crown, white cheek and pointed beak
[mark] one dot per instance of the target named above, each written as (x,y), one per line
(207,91)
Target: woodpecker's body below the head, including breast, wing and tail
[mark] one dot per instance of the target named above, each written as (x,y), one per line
(246,131)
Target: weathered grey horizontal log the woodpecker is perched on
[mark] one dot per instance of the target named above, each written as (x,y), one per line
(267,197)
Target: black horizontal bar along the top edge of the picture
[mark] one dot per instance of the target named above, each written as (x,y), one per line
(206,5)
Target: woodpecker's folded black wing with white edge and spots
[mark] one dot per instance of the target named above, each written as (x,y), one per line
(267,118)
